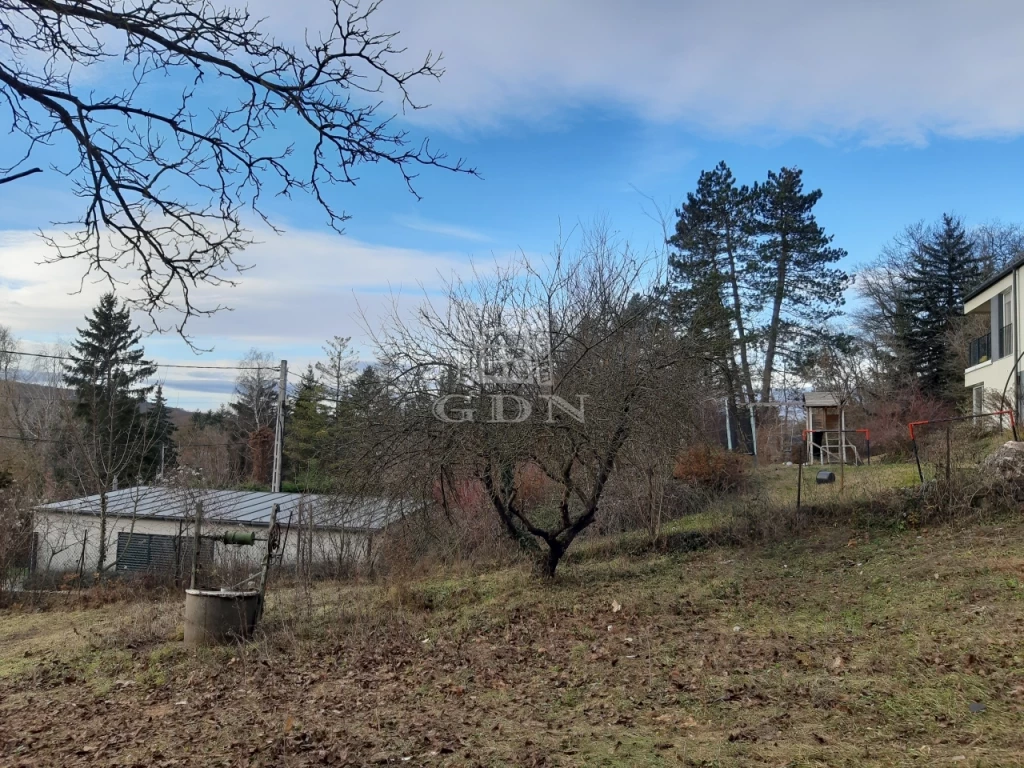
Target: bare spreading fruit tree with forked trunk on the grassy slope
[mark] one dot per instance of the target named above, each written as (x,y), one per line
(549,367)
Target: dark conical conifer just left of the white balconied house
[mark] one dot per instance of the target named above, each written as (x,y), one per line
(944,270)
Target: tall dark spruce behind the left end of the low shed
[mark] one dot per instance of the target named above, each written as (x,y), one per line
(108,371)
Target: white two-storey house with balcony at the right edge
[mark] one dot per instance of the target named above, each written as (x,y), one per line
(994,353)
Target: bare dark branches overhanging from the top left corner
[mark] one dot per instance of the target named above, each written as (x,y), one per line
(166,179)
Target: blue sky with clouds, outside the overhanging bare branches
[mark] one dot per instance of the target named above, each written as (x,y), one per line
(577,110)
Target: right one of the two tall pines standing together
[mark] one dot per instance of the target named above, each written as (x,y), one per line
(793,269)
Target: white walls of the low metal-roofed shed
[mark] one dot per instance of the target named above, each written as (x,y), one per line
(68,542)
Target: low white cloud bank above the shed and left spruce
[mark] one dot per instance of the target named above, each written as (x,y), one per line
(304,288)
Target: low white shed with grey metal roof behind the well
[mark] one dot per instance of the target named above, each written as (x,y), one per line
(151,529)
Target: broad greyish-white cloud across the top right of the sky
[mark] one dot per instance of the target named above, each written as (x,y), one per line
(880,71)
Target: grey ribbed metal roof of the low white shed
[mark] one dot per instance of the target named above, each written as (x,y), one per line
(243,507)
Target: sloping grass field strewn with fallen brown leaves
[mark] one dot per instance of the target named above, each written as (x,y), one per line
(847,649)
